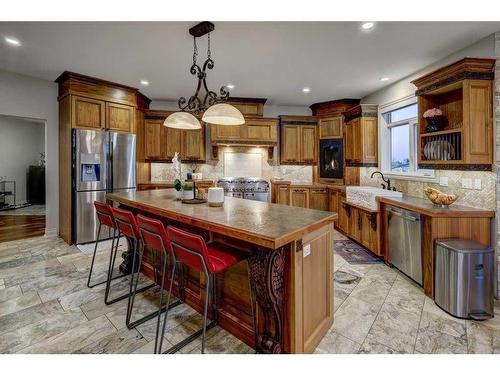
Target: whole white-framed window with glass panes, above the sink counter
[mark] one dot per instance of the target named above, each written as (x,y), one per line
(399,139)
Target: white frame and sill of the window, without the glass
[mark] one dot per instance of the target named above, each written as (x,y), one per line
(414,172)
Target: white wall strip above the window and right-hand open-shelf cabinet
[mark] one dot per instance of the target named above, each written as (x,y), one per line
(403,88)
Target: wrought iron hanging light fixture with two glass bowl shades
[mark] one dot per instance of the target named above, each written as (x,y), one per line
(205,101)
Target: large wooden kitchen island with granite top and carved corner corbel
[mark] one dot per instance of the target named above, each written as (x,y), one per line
(290,254)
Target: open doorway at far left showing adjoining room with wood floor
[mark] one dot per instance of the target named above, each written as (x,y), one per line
(22,178)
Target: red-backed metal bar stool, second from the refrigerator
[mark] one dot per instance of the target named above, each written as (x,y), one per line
(126,225)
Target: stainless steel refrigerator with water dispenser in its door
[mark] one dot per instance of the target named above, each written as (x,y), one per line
(103,162)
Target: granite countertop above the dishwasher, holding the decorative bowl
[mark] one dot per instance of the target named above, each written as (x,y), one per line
(425,207)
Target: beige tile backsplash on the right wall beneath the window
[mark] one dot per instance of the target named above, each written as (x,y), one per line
(484,198)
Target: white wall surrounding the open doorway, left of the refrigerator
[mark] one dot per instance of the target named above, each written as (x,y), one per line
(29,97)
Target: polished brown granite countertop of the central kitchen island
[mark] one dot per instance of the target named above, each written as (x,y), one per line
(266,224)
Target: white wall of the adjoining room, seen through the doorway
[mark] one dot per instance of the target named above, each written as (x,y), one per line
(21,142)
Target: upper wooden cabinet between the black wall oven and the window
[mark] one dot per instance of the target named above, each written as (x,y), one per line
(361,136)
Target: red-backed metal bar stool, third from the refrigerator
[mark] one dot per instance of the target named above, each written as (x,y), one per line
(154,237)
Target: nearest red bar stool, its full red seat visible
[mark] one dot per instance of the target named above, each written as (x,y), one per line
(213,259)
